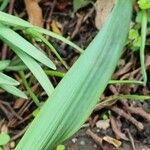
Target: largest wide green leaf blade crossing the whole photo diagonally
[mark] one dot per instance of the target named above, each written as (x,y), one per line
(77,94)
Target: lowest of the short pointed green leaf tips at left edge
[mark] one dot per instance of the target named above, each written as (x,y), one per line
(13,90)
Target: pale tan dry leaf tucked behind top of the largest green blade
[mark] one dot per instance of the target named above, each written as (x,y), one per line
(103,8)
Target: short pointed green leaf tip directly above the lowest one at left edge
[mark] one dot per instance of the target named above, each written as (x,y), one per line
(4,79)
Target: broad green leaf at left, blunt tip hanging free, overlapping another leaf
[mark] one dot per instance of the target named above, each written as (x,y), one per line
(15,41)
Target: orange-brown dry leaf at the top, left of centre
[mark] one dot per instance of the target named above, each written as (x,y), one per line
(34,12)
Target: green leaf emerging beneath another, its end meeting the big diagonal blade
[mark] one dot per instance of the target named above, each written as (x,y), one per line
(37,71)
